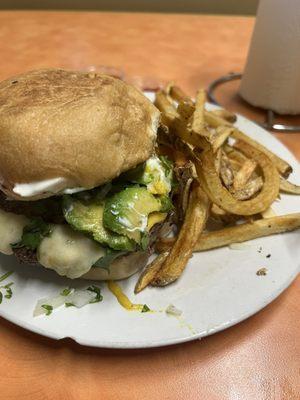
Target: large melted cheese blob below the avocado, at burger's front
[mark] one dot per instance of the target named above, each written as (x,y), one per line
(68,252)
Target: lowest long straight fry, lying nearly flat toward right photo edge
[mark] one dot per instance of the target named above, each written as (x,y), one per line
(242,233)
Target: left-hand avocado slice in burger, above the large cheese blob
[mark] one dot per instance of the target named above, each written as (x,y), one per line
(87,217)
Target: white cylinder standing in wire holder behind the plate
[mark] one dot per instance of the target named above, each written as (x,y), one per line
(271,78)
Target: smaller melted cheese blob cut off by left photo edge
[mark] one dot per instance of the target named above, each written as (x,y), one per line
(11,229)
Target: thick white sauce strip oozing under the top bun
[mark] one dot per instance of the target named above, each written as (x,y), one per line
(54,185)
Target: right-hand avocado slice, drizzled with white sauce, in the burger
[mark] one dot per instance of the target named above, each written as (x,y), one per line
(127,212)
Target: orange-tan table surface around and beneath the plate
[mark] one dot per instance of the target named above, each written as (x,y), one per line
(257,359)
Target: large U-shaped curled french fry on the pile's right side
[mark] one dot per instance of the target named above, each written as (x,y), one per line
(219,195)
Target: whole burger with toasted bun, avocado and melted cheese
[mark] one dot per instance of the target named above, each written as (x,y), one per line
(83,191)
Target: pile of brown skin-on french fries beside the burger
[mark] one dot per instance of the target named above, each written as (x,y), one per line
(234,182)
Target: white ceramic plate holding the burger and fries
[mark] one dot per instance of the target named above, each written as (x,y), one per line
(218,289)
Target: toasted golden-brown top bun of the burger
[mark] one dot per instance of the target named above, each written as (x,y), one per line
(84,127)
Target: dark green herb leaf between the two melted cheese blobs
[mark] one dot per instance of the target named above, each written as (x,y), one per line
(33,234)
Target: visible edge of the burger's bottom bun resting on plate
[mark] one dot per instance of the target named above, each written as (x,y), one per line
(121,268)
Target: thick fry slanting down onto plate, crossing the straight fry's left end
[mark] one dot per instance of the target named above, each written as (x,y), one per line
(195,220)
